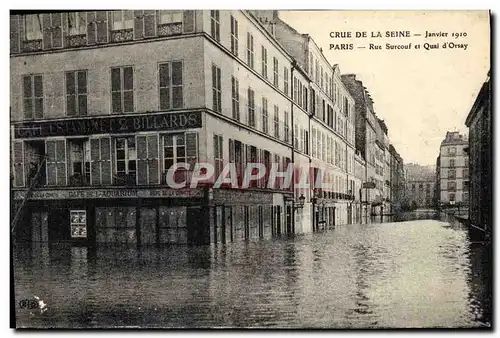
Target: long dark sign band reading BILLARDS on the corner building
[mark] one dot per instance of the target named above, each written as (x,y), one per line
(111,125)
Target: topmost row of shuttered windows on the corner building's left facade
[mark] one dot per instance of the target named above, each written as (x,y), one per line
(55,30)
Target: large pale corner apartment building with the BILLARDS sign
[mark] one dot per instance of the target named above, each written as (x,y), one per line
(105,102)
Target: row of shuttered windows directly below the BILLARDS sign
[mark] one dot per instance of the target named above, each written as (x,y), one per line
(140,159)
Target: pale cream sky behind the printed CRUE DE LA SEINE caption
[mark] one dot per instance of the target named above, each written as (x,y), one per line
(421,94)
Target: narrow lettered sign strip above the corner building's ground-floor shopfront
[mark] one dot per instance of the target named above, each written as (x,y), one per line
(109,193)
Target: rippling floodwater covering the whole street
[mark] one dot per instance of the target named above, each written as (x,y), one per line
(410,274)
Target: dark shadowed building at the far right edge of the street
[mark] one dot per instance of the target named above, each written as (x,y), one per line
(480,158)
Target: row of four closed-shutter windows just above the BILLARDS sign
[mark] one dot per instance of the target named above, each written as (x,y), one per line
(170,91)
